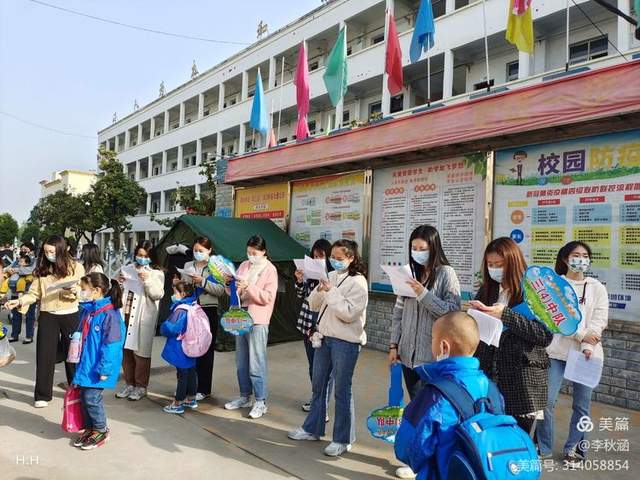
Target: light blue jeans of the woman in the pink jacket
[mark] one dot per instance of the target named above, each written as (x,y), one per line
(251,362)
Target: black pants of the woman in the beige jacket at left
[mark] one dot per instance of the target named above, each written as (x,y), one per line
(52,346)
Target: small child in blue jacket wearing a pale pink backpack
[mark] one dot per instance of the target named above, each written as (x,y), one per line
(188,337)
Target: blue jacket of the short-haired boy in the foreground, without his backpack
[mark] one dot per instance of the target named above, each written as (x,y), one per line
(426,437)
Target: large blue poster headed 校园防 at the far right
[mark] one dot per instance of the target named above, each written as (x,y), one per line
(585,189)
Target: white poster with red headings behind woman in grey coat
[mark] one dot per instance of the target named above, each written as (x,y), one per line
(449,195)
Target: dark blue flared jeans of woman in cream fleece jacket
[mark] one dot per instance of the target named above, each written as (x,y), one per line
(340,357)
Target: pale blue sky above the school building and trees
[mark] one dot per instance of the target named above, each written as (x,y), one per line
(71,73)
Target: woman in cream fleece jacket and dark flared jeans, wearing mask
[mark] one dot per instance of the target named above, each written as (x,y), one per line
(342,304)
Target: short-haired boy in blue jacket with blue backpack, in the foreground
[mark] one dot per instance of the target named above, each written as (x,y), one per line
(455,427)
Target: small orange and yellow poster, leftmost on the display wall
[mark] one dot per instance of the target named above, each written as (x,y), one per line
(264,201)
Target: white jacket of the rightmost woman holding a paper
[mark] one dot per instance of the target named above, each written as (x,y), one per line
(595,315)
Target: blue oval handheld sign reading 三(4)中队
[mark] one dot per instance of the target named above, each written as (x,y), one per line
(550,299)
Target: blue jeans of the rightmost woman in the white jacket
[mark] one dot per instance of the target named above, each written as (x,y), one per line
(581,405)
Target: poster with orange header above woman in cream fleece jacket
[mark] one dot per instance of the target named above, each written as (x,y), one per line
(329,207)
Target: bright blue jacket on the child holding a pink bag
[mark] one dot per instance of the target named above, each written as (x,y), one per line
(102,347)
